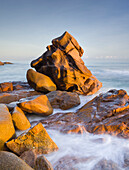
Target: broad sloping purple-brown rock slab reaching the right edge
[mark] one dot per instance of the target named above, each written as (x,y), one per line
(107,113)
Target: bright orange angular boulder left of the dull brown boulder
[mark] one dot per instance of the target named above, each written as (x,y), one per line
(38,105)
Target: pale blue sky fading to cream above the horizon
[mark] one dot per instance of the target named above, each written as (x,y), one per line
(100,26)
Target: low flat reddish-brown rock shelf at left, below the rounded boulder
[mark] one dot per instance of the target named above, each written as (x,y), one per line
(7,98)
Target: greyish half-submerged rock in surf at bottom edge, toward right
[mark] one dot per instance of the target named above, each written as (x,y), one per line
(106,165)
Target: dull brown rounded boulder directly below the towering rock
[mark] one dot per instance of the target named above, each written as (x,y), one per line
(63,100)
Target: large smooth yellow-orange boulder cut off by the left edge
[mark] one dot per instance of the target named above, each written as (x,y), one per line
(7,130)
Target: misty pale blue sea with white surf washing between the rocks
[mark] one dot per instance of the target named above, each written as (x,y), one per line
(114,74)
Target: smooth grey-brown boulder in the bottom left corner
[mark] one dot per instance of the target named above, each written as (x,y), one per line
(9,161)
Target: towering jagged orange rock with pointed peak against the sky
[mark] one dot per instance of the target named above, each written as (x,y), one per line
(63,64)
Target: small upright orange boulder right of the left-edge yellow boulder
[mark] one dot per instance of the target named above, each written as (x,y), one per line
(20,120)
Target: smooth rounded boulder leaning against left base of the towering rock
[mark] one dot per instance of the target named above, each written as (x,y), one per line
(40,82)
